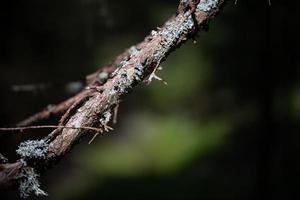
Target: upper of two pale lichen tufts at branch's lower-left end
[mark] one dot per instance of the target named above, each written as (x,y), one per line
(33,149)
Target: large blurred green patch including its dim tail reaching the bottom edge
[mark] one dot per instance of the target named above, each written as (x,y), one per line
(153,146)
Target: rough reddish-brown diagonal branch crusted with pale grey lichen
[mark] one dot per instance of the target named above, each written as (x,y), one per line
(94,107)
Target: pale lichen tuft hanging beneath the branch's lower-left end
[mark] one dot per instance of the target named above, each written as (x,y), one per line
(29,183)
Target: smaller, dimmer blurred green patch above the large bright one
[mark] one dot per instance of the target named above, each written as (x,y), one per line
(186,71)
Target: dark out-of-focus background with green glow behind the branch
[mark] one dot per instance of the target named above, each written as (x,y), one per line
(225,127)
